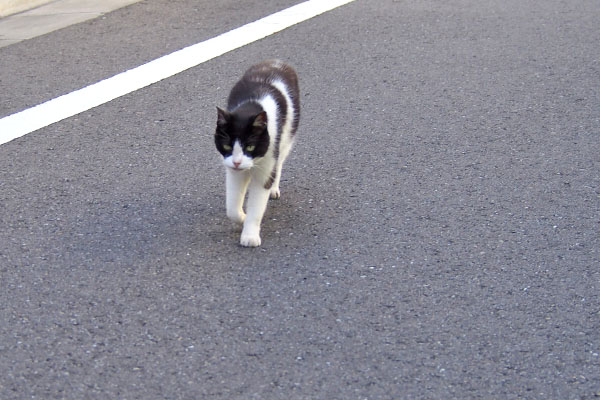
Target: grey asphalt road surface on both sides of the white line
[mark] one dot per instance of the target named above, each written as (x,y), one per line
(437,235)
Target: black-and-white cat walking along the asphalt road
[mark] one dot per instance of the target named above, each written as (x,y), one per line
(255,135)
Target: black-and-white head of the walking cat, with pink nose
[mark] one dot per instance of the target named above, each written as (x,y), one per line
(241,136)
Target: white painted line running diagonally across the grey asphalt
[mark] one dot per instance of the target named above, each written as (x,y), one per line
(32,119)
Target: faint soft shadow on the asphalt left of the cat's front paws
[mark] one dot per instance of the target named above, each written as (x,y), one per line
(133,230)
